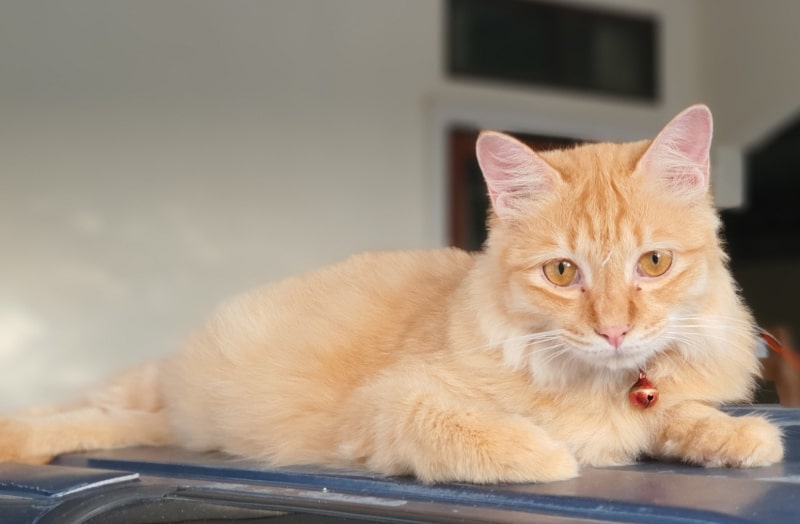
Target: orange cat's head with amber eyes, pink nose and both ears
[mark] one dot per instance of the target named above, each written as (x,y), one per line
(606,252)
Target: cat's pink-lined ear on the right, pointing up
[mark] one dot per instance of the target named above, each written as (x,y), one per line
(679,156)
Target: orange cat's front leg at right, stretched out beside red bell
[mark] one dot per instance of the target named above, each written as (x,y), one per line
(699,434)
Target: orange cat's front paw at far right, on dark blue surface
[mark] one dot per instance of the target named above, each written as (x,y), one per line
(730,442)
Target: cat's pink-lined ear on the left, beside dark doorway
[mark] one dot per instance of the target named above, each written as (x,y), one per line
(514,174)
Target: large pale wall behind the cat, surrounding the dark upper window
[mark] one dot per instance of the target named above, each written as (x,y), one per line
(158,156)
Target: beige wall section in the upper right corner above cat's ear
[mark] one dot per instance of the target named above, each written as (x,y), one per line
(750,66)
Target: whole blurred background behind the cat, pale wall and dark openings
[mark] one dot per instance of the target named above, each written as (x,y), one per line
(158,156)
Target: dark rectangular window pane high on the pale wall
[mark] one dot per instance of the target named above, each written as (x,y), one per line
(541,43)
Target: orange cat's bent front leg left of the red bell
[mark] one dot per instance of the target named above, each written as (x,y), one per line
(400,427)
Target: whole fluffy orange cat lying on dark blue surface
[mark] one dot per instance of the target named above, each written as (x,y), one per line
(513,364)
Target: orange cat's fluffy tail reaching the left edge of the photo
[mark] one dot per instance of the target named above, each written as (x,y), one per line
(127,411)
